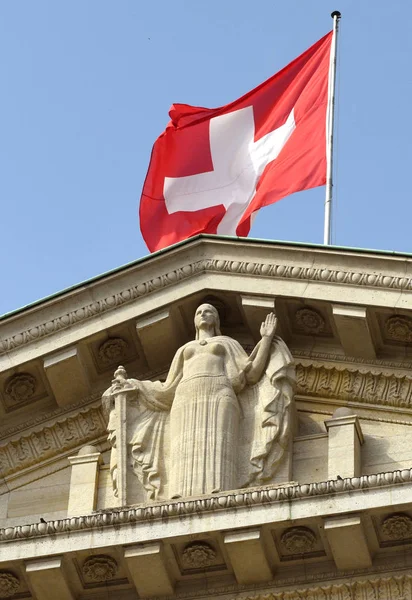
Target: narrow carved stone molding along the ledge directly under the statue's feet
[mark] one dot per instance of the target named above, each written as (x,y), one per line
(246,498)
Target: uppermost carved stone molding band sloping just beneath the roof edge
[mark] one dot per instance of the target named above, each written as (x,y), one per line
(289,266)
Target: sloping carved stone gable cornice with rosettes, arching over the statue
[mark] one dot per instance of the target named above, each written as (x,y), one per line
(344,315)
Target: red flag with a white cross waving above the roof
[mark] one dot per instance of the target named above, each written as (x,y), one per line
(211,169)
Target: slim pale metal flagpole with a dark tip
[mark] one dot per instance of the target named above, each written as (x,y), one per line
(330,115)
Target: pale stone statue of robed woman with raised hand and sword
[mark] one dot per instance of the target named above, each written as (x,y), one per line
(220,421)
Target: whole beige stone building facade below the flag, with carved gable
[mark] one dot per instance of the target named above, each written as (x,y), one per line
(322,505)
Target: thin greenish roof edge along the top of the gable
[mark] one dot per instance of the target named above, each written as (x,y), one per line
(191,240)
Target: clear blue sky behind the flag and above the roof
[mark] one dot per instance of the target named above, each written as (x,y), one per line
(86,88)
